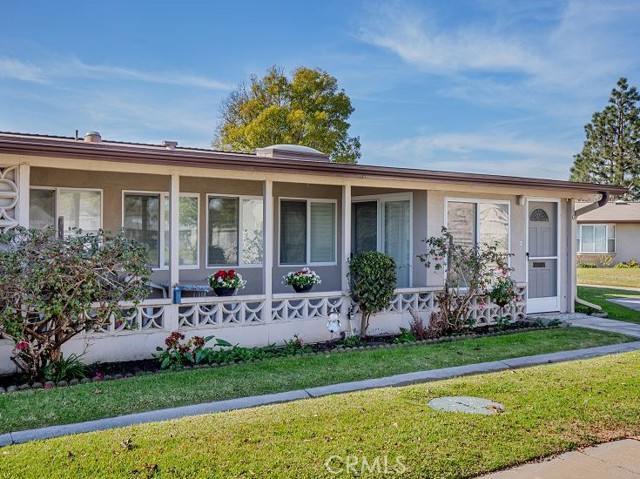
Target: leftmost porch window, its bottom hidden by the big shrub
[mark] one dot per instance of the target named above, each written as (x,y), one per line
(79,208)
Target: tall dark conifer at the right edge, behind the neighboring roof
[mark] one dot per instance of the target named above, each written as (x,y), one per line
(611,152)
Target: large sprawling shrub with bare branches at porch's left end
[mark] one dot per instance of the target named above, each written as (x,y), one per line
(54,288)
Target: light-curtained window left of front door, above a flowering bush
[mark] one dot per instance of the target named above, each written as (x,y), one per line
(474,222)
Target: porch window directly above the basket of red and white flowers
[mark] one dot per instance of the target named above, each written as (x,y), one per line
(235,231)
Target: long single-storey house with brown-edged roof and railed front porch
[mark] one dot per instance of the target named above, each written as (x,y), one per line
(272,212)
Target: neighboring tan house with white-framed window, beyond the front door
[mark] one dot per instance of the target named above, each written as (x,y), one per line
(610,234)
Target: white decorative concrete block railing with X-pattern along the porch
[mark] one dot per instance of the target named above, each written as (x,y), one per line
(232,311)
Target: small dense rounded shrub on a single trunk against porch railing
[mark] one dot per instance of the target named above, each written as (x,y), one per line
(373,282)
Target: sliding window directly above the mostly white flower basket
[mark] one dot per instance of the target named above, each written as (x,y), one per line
(307,232)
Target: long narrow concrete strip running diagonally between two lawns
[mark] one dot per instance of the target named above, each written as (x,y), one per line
(247,402)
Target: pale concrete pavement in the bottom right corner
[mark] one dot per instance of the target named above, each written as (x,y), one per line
(613,460)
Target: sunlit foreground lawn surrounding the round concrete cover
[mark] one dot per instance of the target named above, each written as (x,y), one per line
(549,409)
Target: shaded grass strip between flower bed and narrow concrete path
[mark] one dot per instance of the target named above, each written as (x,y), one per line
(37,408)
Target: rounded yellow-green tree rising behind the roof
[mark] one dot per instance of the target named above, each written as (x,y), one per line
(309,109)
